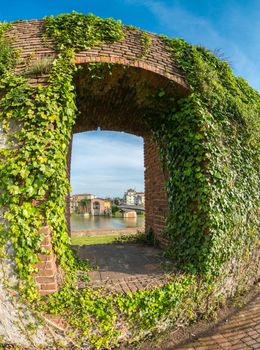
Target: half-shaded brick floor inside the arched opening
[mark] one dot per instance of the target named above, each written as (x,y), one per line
(125,267)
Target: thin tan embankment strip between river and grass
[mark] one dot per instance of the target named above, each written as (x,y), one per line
(108,232)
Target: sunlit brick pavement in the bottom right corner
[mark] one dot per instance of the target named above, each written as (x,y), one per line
(240,331)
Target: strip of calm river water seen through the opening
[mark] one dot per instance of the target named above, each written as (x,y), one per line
(81,222)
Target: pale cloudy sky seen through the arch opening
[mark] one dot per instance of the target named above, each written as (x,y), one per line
(106,163)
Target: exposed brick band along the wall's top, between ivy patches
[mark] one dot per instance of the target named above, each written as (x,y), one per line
(27,37)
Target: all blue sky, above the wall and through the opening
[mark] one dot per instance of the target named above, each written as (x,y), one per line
(231,26)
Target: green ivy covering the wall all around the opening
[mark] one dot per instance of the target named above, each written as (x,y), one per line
(208,143)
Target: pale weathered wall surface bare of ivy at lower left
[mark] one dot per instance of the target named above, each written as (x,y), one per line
(14,316)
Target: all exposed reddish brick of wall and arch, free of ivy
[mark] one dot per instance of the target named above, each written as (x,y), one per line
(158,68)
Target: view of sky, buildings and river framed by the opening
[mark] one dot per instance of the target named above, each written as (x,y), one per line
(105,165)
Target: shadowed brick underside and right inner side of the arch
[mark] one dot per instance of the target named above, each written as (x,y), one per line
(121,98)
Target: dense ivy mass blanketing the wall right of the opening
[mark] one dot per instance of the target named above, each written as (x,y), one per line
(212,139)
